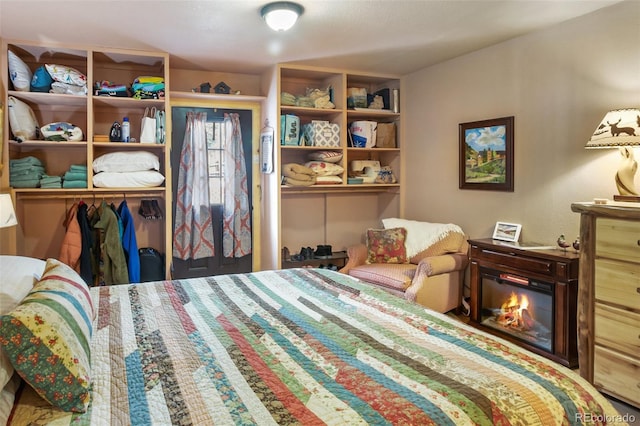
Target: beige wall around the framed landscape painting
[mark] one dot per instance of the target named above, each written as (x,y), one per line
(558,83)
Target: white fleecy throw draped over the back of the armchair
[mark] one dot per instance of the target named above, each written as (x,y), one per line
(421,235)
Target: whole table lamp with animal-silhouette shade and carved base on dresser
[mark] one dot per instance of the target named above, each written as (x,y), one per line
(620,129)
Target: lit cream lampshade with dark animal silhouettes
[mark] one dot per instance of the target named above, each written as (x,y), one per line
(619,127)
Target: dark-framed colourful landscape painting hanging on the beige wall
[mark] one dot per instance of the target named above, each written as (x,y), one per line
(486,154)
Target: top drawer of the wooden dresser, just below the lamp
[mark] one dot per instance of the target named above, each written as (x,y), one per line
(618,239)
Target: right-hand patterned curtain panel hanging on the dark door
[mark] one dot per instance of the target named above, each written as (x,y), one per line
(236,234)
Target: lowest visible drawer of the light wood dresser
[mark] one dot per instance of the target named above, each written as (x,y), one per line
(618,375)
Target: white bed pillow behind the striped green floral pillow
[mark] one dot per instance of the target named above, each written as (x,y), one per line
(18,274)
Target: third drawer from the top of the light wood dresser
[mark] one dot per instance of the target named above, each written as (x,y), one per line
(617,329)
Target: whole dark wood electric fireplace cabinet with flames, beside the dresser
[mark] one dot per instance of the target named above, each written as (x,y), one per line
(528,297)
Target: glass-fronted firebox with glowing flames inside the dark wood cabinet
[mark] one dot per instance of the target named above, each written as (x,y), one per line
(519,307)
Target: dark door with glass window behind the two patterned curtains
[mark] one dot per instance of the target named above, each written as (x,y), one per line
(217,264)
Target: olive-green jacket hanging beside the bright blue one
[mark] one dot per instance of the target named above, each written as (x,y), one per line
(113,266)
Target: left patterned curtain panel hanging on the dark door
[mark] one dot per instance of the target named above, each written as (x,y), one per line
(193,231)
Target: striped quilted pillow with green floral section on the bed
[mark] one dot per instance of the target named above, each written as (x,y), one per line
(47,337)
